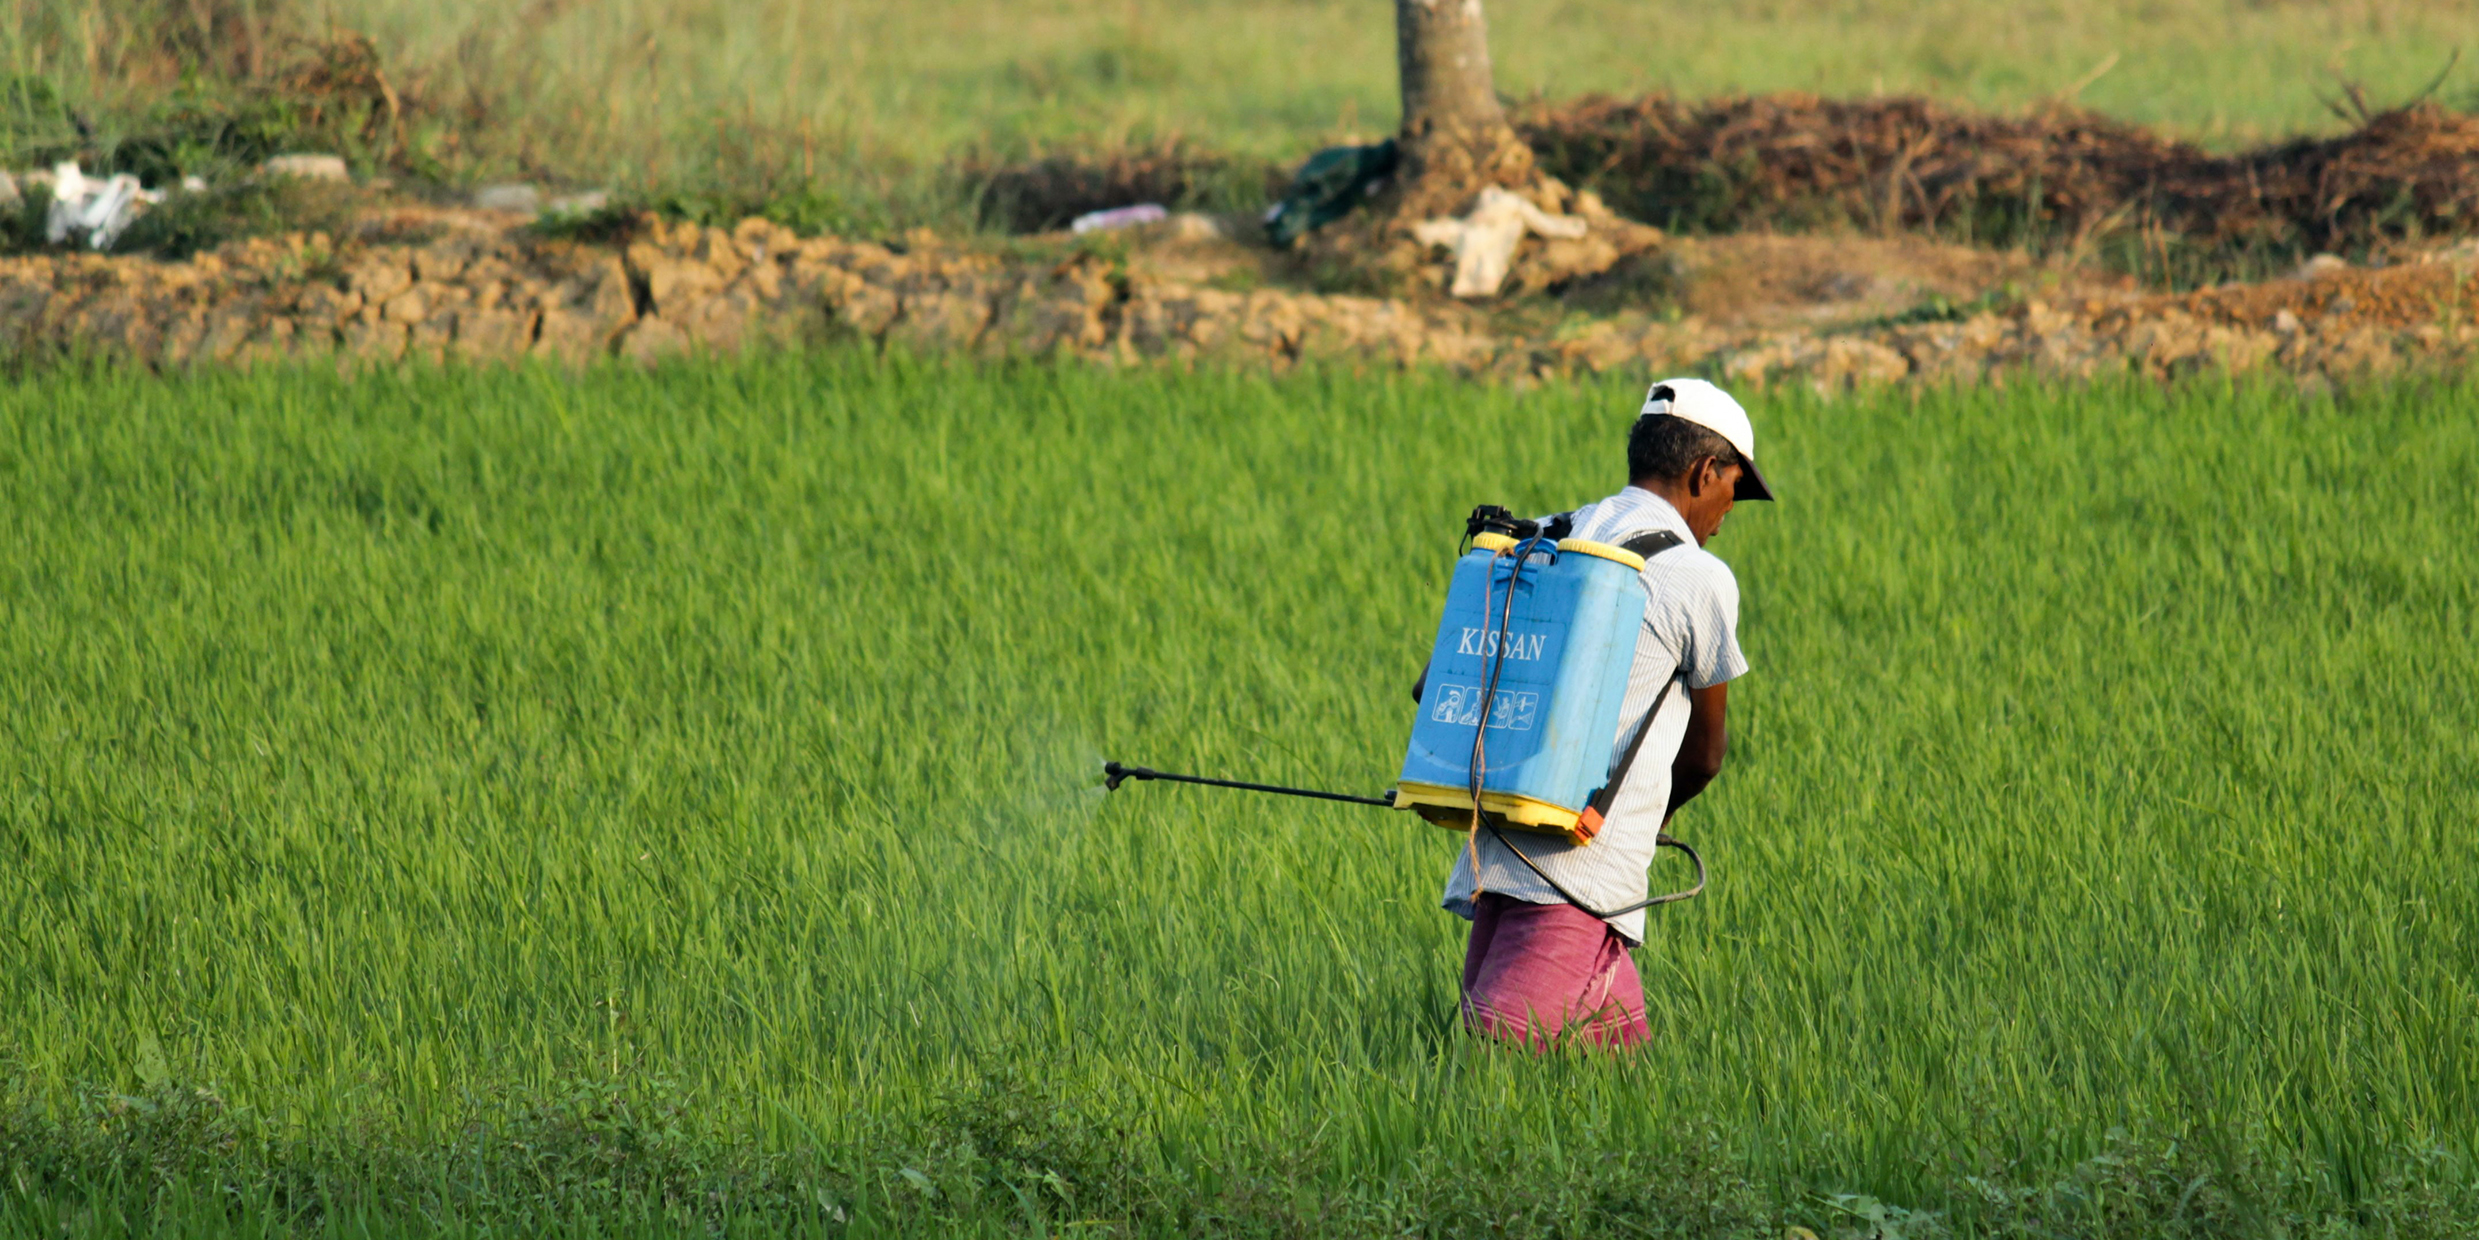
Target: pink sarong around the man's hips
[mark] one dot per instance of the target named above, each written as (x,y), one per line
(1536,973)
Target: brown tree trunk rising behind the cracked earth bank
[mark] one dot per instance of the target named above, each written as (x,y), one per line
(1456,140)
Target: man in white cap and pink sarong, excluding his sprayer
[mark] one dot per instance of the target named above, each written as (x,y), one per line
(1538,966)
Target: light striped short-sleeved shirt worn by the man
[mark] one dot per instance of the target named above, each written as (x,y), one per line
(1689,636)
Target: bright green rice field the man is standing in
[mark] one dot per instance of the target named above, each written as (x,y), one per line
(656,802)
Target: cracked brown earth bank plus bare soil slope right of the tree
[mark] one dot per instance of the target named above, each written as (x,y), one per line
(1754,309)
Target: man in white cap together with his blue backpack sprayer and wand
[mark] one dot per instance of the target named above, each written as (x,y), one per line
(1575,698)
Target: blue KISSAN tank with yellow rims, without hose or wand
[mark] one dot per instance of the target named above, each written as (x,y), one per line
(1570,641)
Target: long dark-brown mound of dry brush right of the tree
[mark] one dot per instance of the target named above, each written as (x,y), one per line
(2049,177)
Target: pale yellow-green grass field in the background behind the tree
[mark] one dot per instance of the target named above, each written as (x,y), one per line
(871,103)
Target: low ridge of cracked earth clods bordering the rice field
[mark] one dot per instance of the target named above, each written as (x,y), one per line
(683,289)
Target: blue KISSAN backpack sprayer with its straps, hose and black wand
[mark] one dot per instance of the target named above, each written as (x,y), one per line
(1523,696)
